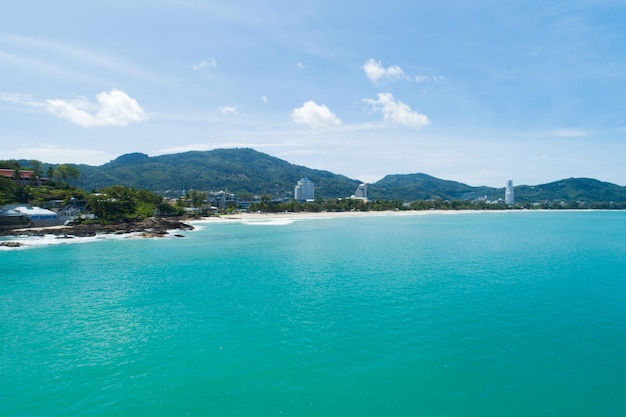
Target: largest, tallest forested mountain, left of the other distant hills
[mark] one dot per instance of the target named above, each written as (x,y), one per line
(233,170)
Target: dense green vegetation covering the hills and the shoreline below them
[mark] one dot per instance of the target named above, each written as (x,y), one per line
(268,183)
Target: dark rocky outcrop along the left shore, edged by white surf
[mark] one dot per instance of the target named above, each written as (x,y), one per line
(150,227)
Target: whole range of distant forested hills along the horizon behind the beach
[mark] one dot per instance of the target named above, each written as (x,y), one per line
(245,170)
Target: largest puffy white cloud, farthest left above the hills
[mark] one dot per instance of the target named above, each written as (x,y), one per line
(114,108)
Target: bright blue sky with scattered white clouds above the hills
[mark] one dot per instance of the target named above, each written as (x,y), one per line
(472,91)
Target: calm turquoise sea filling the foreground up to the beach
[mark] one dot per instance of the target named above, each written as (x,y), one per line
(467,314)
